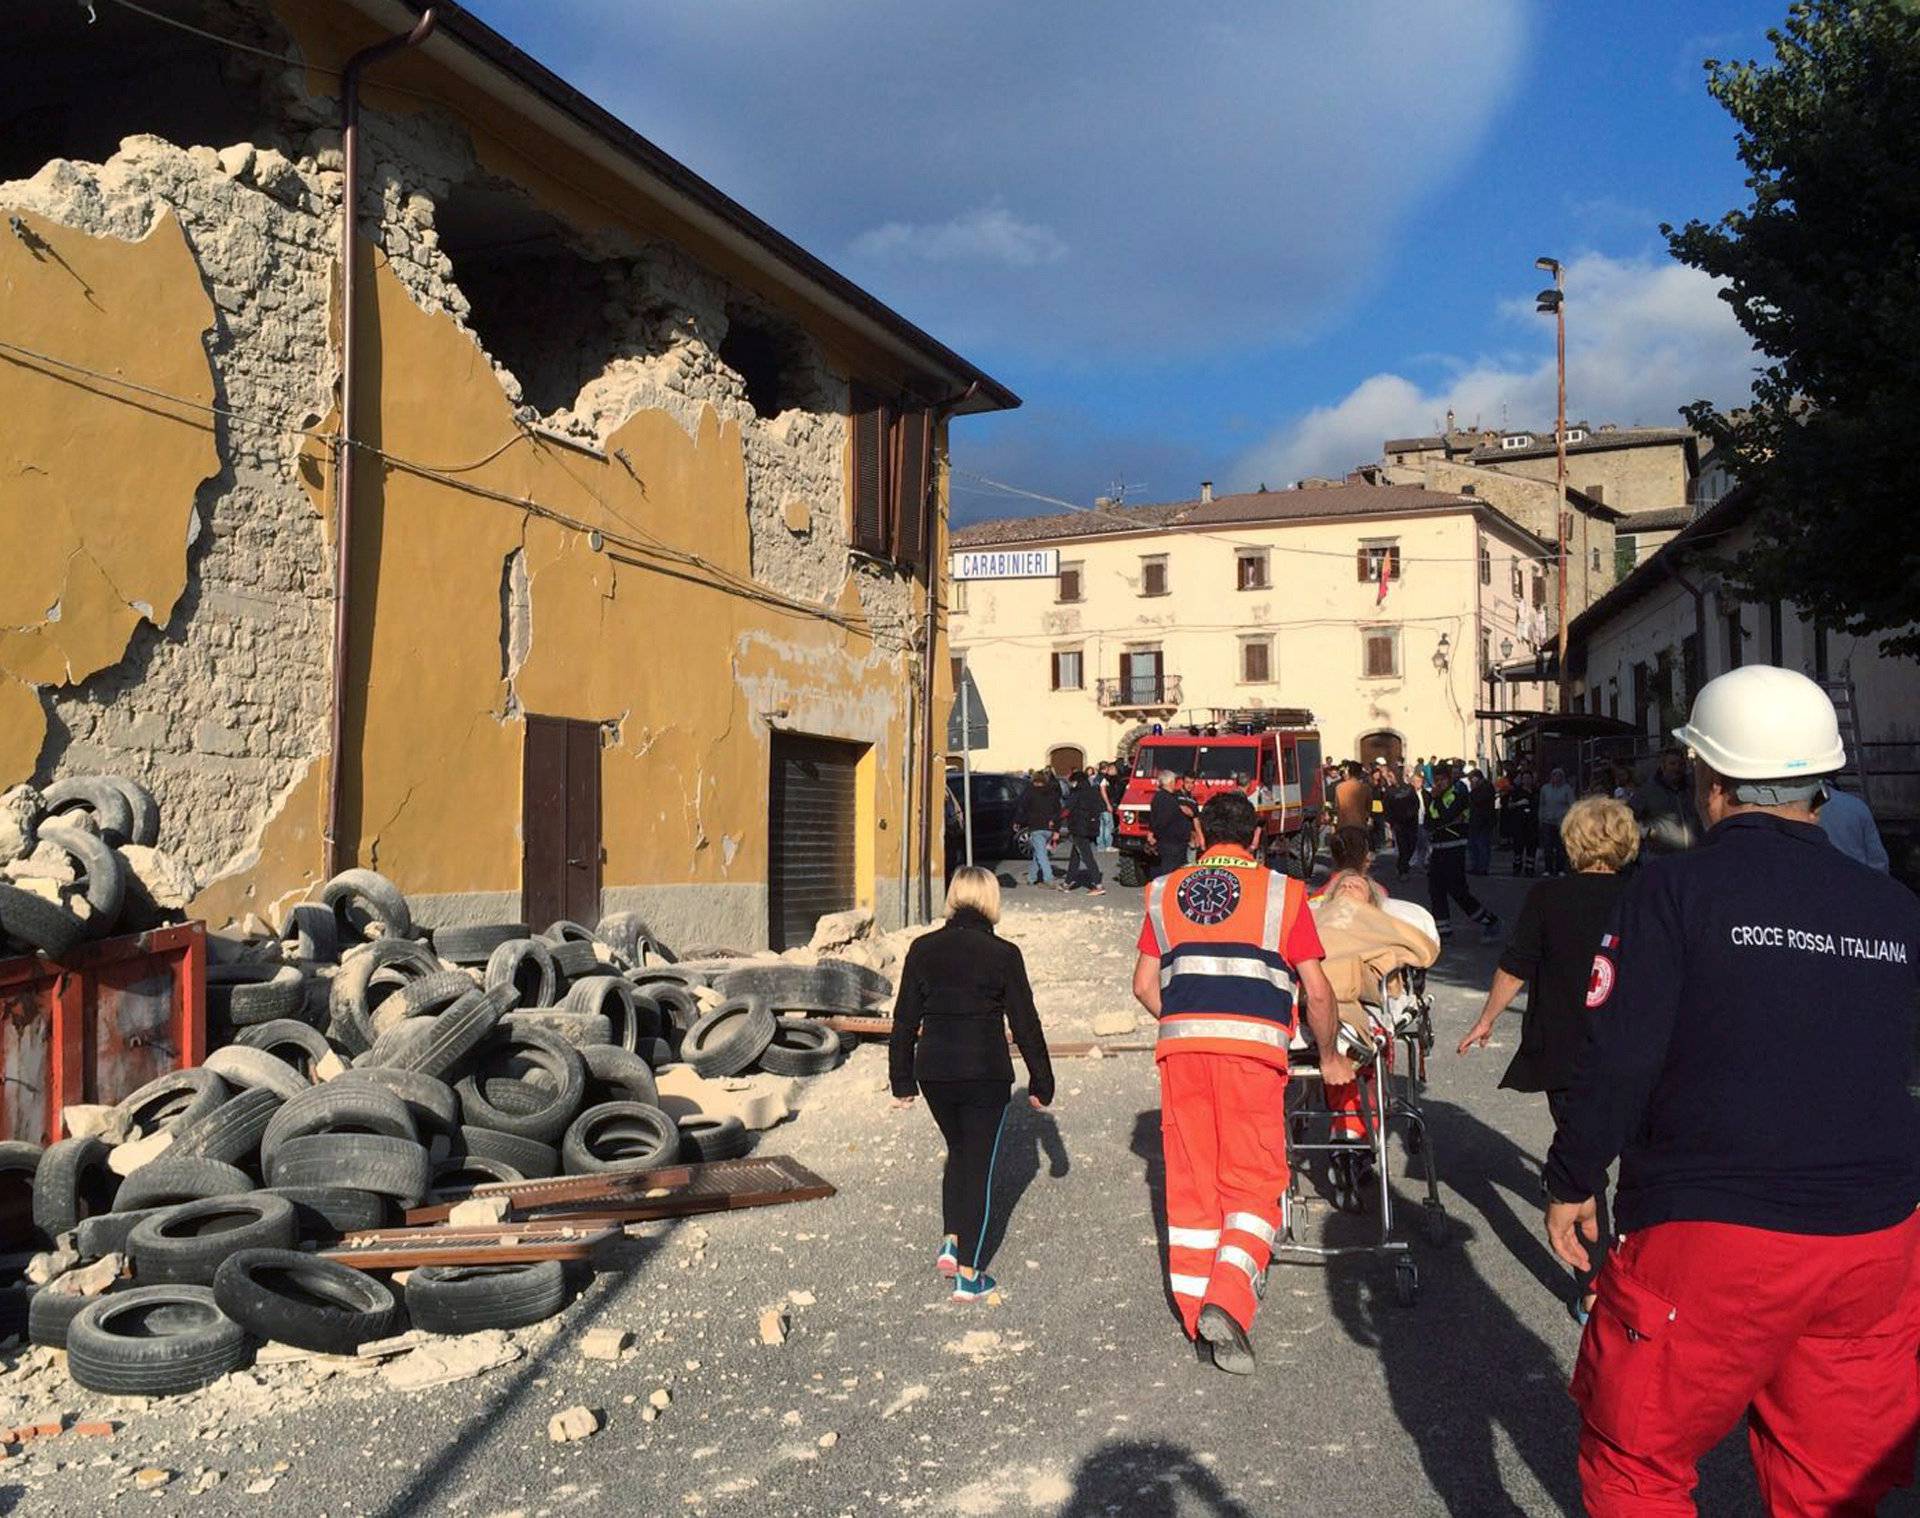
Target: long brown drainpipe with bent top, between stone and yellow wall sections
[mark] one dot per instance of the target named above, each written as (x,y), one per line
(345,452)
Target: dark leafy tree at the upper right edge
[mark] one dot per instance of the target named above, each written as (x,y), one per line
(1825,275)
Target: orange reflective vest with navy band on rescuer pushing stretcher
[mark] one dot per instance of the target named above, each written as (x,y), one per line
(1224,984)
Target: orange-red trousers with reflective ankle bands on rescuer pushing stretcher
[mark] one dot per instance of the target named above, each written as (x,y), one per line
(1224,1137)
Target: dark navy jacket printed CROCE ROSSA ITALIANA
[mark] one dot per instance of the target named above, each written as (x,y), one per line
(1750,1037)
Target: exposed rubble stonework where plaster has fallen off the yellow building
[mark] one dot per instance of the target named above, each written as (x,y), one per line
(224,711)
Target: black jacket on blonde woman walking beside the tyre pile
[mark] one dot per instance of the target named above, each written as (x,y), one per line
(961,989)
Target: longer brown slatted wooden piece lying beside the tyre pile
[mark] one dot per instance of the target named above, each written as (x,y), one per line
(675,1191)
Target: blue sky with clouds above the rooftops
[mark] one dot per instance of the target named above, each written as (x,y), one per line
(1239,243)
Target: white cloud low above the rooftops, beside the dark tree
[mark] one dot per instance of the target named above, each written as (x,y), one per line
(1643,341)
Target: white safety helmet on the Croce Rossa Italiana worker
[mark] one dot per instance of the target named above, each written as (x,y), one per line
(1760,723)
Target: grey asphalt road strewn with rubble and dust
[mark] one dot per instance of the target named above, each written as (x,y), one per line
(1072,1396)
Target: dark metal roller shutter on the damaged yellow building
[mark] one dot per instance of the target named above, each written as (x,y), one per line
(811,820)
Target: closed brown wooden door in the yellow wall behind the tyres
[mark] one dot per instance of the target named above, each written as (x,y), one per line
(560,822)
